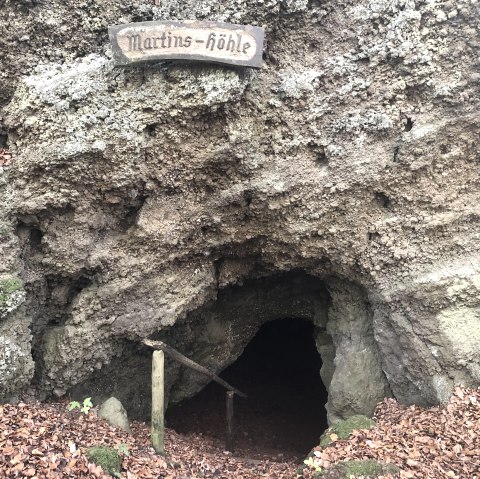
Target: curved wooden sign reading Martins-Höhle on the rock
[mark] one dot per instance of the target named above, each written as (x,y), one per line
(215,42)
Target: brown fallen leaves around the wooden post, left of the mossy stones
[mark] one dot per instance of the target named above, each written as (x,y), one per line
(44,441)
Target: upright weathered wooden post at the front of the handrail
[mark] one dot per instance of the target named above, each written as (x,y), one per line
(158,394)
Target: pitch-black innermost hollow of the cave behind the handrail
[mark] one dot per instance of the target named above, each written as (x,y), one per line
(279,371)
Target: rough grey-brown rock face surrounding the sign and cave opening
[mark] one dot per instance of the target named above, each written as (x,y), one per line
(339,183)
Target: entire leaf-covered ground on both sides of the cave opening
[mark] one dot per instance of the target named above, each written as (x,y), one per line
(43,440)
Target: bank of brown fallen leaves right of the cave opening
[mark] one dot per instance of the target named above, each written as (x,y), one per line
(440,442)
